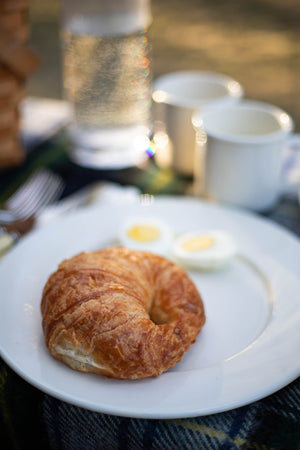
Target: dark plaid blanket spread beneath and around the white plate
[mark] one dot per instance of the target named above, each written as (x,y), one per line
(31,418)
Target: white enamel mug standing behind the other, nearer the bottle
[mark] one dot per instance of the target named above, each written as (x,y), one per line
(176,96)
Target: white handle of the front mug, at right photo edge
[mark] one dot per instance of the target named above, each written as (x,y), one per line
(290,179)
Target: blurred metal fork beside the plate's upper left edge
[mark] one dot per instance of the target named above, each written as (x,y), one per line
(41,189)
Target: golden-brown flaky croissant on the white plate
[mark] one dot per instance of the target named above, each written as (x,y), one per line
(121,313)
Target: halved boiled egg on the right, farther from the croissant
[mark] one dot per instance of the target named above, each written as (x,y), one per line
(204,250)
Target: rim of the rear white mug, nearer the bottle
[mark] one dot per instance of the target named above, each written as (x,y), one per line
(233,88)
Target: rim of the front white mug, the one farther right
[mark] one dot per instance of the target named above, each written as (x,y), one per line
(285,122)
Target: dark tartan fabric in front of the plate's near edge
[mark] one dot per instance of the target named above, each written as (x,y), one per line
(31,418)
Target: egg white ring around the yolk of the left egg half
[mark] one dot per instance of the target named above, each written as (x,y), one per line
(160,244)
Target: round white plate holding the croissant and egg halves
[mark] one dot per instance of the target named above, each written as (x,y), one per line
(249,347)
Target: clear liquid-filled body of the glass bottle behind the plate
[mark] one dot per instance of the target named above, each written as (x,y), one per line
(107,79)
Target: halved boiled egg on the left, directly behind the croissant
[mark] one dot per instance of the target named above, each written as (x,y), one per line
(146,233)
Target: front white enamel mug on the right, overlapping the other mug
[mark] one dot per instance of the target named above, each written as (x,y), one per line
(239,154)
